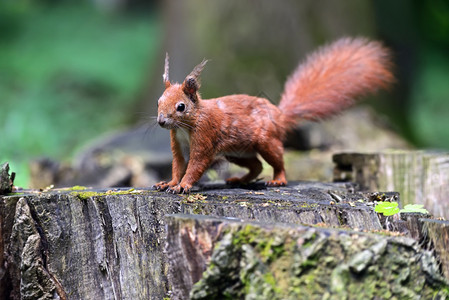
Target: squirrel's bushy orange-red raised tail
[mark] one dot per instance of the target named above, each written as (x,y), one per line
(333,77)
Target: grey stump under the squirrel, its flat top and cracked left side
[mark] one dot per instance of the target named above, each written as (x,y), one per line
(109,244)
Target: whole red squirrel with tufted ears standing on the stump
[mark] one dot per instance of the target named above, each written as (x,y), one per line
(239,127)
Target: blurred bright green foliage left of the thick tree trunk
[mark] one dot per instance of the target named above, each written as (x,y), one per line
(69,71)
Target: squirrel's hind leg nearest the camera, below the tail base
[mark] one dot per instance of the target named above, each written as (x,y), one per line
(273,153)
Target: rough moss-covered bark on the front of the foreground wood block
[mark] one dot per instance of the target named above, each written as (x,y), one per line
(251,262)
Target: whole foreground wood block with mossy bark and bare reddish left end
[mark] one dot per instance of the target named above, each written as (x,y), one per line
(243,260)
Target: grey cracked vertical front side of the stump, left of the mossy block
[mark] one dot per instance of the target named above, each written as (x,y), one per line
(105,247)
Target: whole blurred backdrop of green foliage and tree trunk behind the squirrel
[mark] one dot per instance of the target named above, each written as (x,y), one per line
(72,70)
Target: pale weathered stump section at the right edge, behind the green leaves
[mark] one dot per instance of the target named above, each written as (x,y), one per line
(421,177)
